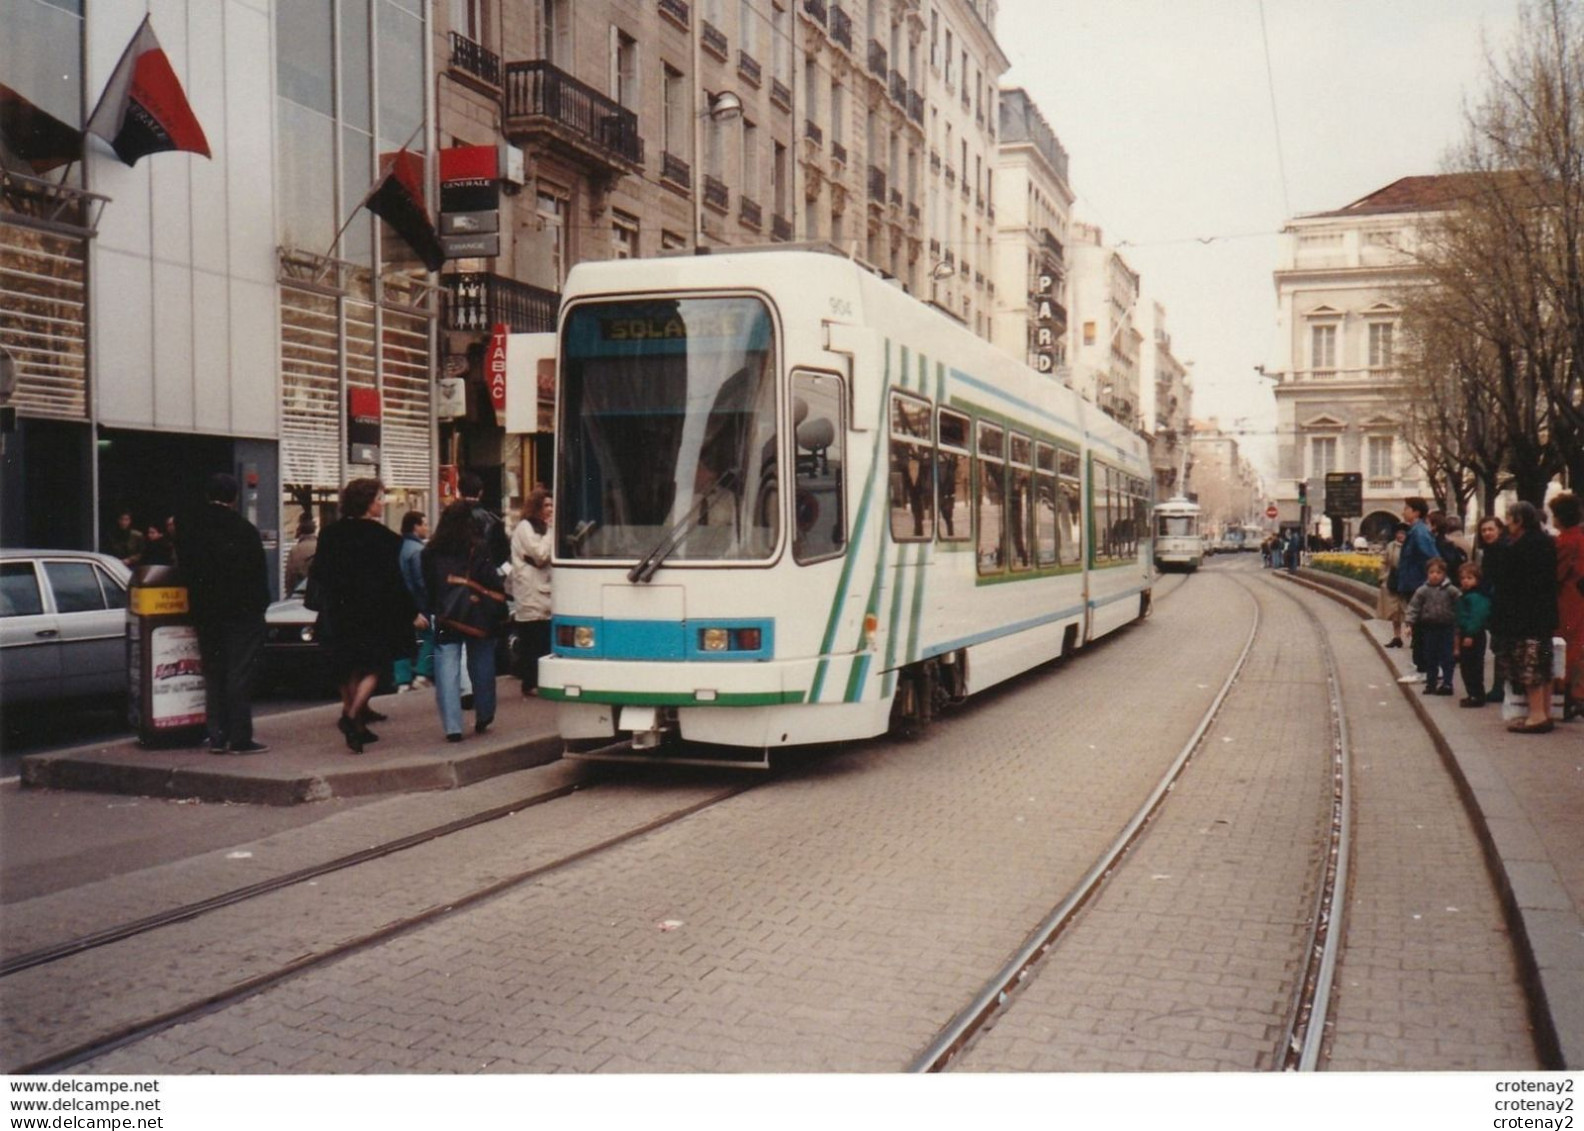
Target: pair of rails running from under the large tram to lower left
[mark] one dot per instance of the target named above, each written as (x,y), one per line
(129,1032)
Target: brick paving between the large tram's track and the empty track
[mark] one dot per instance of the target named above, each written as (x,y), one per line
(829,923)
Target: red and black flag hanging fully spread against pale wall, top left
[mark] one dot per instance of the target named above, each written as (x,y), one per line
(143,109)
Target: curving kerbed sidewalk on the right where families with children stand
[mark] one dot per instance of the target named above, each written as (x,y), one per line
(1526,796)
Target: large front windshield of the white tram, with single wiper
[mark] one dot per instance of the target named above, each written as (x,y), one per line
(668,433)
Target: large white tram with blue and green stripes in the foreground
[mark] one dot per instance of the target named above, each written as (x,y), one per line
(798,506)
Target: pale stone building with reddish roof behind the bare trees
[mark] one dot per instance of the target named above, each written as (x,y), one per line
(1339,394)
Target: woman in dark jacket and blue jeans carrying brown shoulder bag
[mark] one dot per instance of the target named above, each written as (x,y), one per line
(468,607)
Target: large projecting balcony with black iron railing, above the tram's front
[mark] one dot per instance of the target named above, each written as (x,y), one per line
(547,107)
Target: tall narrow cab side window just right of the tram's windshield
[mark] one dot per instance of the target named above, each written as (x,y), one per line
(821,522)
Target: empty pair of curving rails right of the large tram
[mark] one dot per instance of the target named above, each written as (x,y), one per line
(1303,1037)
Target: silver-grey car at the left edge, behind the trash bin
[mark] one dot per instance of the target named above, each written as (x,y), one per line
(63,626)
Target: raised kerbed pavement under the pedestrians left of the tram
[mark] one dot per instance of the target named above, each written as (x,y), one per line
(308,758)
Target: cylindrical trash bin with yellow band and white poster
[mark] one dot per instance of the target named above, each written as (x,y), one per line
(164,668)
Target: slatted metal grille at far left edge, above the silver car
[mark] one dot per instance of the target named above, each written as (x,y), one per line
(44,299)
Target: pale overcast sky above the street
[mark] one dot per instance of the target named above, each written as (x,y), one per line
(1190,166)
